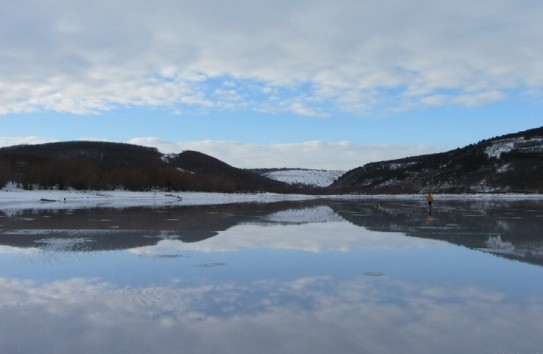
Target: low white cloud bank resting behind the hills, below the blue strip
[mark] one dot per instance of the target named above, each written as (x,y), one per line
(311,154)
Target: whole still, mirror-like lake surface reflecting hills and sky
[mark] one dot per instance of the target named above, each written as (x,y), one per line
(293,277)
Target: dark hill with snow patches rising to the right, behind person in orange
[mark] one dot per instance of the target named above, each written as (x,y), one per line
(507,164)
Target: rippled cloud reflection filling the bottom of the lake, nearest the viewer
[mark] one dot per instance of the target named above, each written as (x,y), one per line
(318,315)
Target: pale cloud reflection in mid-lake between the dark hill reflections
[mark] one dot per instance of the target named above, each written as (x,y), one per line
(332,236)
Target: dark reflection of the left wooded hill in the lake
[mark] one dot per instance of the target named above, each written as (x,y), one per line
(110,229)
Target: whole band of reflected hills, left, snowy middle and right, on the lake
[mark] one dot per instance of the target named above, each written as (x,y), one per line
(508,229)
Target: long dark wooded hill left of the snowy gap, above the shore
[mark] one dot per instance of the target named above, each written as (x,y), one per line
(86,165)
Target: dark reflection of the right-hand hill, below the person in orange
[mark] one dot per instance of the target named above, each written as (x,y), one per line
(511,229)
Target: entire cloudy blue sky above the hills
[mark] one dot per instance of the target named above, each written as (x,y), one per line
(284,83)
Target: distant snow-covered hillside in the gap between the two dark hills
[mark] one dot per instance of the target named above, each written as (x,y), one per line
(316,178)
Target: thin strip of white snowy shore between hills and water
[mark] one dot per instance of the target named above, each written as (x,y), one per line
(16,199)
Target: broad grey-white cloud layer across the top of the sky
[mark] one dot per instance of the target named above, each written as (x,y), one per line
(356,55)
